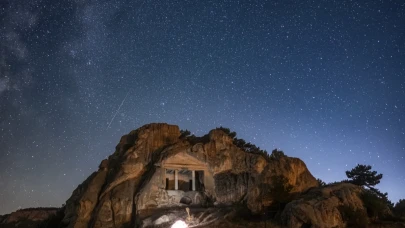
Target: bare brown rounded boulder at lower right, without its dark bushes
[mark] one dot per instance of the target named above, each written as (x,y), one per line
(320,207)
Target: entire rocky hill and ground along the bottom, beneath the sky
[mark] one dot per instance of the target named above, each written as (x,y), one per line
(159,175)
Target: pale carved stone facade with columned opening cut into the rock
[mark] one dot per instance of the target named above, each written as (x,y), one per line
(181,179)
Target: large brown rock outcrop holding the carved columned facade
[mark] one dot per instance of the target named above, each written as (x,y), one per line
(132,183)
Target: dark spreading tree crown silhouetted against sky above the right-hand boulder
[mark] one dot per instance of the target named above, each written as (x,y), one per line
(363,176)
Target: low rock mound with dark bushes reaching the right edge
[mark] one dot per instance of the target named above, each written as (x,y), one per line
(338,205)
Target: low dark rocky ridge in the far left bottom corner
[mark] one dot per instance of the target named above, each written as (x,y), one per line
(26,217)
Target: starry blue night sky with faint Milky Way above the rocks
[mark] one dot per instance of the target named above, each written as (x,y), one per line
(321,80)
